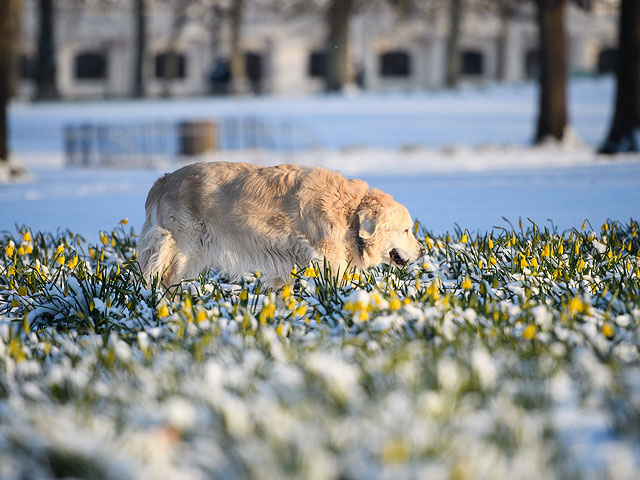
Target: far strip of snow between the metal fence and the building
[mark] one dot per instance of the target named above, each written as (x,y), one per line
(470,116)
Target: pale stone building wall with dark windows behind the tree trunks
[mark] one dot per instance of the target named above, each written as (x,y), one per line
(284,56)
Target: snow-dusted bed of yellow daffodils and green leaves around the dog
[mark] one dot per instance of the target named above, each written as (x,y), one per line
(478,347)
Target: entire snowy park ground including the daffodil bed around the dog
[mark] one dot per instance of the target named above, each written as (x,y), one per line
(513,354)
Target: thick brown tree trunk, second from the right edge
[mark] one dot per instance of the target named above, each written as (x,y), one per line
(552,113)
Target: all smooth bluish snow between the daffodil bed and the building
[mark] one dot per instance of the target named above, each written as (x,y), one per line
(451,157)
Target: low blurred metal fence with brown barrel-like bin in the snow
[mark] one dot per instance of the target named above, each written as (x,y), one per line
(147,144)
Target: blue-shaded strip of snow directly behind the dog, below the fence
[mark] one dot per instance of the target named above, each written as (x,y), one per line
(441,190)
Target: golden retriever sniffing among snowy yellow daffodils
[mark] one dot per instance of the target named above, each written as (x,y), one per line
(239,218)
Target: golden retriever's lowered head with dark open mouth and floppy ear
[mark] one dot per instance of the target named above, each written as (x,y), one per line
(385,231)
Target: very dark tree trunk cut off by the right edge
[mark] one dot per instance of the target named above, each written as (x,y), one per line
(626,118)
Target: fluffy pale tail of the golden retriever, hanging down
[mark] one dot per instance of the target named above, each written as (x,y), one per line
(157,251)
